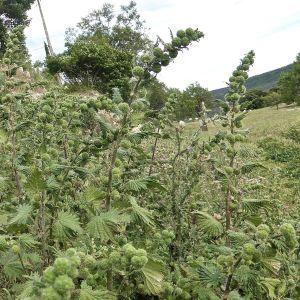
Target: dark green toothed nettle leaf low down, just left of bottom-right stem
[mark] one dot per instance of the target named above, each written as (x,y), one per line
(211,275)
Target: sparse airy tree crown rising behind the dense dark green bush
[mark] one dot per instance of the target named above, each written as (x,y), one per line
(124,31)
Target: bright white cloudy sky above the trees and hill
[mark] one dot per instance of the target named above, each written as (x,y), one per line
(232,28)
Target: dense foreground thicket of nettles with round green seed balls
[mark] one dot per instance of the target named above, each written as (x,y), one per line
(95,205)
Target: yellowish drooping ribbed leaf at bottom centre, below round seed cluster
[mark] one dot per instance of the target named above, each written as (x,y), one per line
(153,277)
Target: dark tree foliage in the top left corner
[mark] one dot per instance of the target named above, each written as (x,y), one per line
(12,14)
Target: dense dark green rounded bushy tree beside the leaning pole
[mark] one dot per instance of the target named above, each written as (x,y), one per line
(94,63)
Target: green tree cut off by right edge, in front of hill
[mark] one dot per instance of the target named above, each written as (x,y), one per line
(289,84)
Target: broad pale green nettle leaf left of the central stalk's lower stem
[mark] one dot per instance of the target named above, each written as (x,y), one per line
(105,225)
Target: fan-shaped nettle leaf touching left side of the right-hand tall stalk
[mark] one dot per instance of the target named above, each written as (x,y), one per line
(209,225)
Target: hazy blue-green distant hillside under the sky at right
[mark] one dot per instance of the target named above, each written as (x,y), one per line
(262,82)
